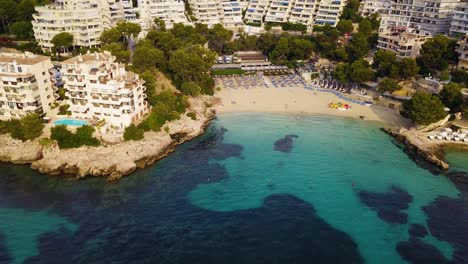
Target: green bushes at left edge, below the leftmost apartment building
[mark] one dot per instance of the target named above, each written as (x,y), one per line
(26,128)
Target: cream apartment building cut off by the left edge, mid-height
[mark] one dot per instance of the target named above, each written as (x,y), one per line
(25,85)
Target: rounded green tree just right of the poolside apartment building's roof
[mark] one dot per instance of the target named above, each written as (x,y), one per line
(147,57)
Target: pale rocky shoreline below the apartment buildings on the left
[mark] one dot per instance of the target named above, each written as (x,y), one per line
(112,161)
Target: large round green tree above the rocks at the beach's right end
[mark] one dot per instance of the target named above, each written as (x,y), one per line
(424,108)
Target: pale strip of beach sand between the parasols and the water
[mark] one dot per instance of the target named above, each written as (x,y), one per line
(300,101)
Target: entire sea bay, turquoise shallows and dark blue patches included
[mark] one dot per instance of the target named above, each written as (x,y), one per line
(253,189)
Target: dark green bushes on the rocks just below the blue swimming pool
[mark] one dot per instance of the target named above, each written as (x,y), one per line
(67,139)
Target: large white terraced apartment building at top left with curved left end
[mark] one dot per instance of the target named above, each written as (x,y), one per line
(84,19)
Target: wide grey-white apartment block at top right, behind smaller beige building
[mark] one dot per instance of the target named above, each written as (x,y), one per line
(426,16)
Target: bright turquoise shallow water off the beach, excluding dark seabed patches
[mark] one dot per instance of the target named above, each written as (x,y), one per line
(331,160)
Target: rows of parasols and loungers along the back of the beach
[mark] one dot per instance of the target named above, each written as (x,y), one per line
(287,81)
